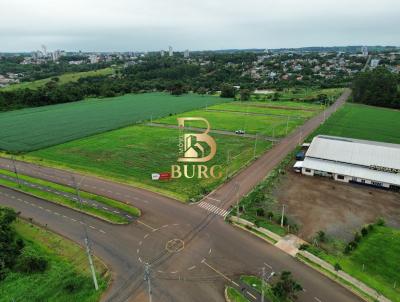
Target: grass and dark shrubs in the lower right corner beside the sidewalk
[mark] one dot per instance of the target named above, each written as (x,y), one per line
(372,256)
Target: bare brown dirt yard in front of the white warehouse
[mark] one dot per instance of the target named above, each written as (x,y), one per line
(339,209)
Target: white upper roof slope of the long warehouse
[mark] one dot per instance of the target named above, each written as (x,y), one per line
(355,152)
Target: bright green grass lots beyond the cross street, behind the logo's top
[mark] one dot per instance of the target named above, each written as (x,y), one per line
(268,125)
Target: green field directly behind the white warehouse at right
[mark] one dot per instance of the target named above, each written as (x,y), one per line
(363,122)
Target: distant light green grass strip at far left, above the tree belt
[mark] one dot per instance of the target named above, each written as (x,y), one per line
(64,78)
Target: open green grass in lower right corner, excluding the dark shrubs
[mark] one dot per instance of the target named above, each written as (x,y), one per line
(379,253)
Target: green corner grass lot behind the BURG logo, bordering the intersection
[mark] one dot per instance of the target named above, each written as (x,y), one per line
(131,154)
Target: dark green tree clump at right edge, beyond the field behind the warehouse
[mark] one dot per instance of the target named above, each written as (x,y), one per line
(378,87)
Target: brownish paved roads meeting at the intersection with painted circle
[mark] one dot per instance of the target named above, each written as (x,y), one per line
(193,253)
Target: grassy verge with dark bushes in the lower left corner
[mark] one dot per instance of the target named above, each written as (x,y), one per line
(37,265)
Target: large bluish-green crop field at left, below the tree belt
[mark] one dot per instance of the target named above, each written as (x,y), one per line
(35,128)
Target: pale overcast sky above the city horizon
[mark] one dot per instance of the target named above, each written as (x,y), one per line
(124,25)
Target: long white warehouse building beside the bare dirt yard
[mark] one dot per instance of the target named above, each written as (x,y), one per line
(353,160)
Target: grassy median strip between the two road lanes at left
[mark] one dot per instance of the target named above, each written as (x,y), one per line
(71,201)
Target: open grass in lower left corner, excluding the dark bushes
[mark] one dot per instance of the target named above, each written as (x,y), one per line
(67,265)
